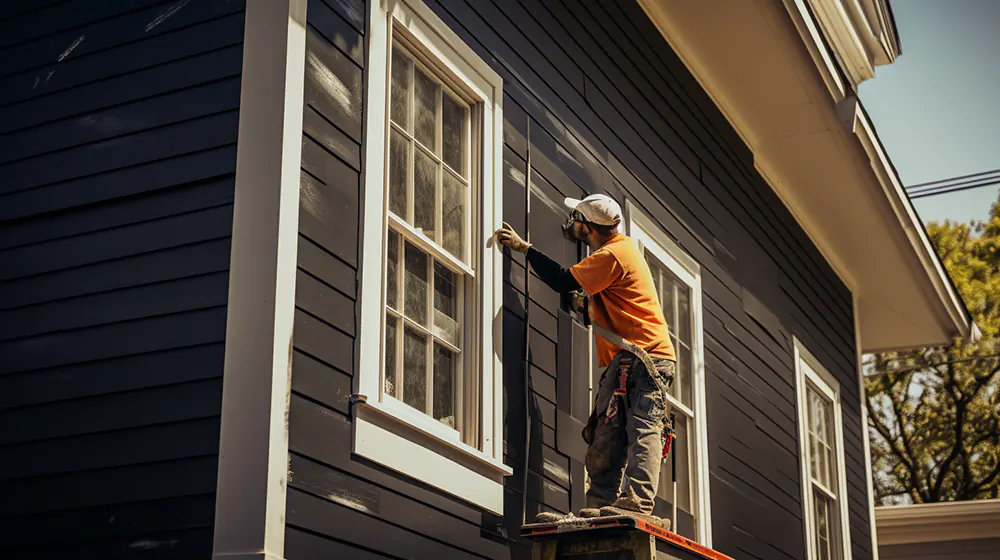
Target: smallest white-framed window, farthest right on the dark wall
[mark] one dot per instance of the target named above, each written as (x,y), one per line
(821,446)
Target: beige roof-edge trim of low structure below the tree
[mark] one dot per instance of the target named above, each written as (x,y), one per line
(945,521)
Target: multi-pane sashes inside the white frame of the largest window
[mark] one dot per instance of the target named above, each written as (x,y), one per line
(427,255)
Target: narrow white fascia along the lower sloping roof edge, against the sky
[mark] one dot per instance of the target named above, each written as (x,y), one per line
(953,310)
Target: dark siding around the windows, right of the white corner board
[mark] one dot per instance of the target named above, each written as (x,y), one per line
(597,101)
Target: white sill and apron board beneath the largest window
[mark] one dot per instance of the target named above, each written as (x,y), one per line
(398,448)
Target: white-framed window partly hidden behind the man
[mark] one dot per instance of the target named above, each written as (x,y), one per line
(678,284)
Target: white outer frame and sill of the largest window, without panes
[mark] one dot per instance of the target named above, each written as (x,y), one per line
(385,431)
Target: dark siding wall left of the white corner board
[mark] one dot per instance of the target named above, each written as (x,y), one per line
(118,128)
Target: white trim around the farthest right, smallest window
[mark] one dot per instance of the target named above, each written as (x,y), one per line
(827,384)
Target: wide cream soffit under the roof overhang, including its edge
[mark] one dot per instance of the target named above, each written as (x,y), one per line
(760,64)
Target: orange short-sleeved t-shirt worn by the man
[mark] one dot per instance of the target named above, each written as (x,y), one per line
(623,299)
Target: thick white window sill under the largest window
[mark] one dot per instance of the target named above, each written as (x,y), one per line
(386,437)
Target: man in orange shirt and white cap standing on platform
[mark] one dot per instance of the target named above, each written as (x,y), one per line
(625,429)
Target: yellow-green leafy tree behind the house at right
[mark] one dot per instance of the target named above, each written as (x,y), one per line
(933,412)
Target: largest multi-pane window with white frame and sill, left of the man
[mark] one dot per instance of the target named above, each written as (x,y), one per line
(430,331)
